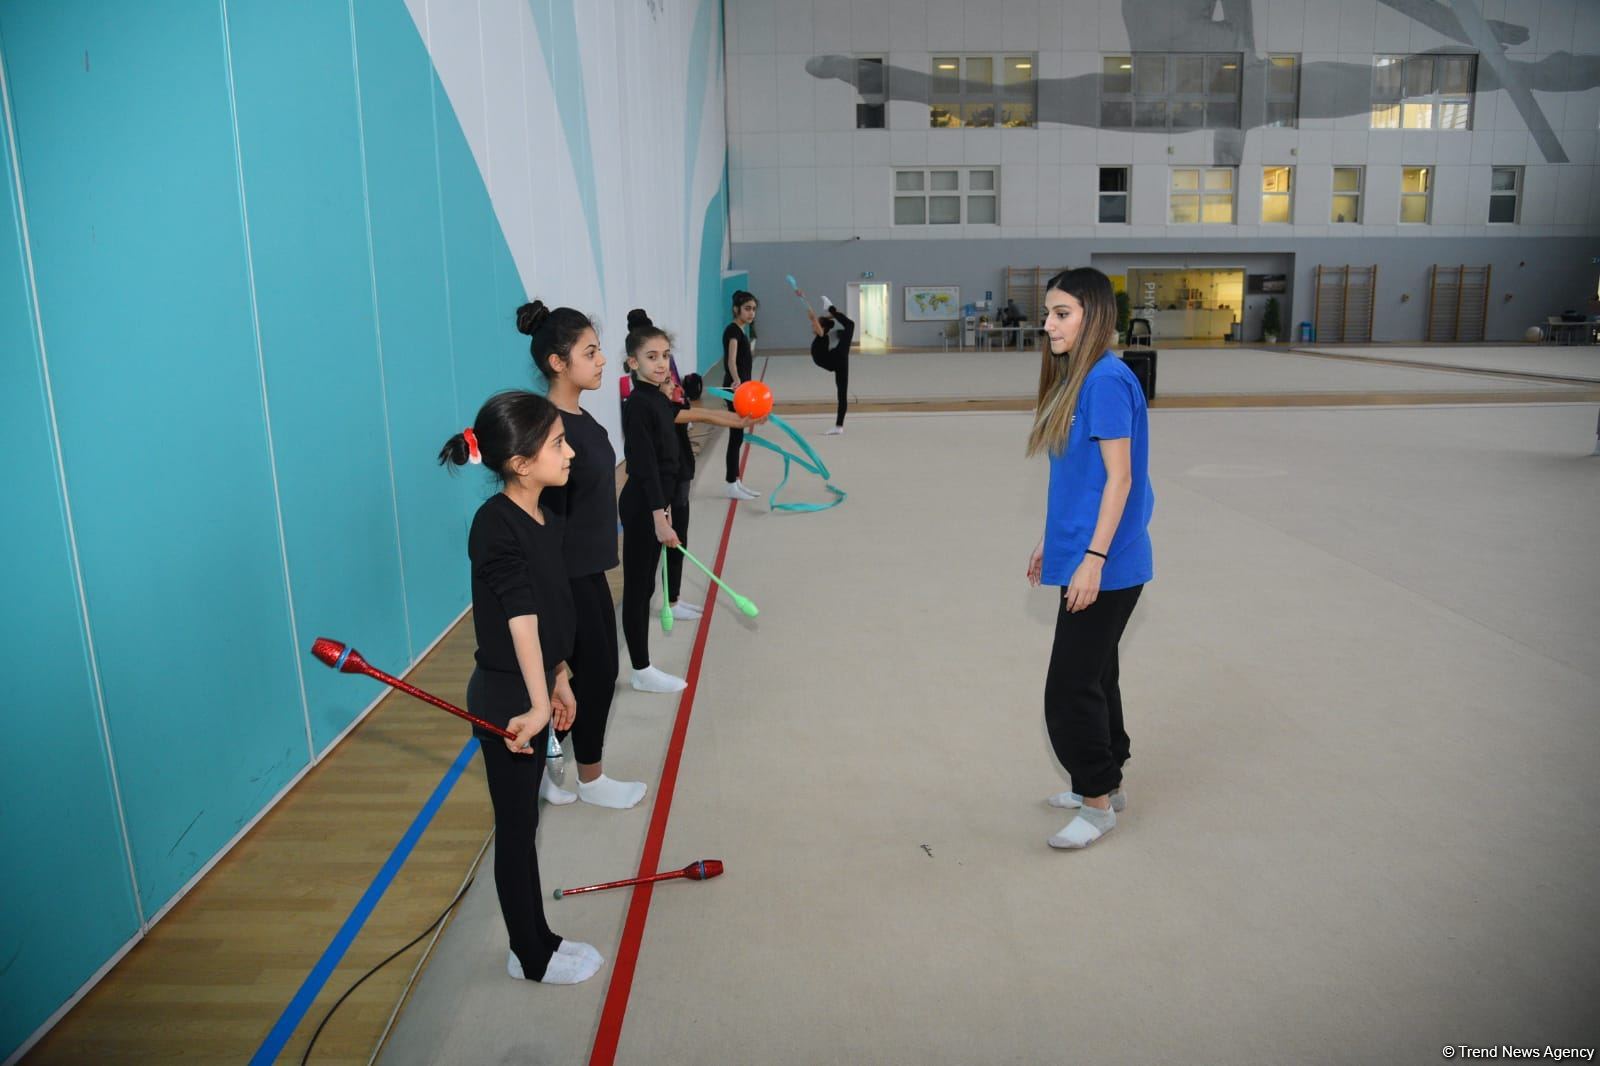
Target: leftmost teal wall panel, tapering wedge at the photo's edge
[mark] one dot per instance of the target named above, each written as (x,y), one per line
(70,899)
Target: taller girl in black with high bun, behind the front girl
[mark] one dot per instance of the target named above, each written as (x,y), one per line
(567,351)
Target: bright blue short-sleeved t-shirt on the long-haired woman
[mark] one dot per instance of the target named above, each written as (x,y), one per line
(1111,406)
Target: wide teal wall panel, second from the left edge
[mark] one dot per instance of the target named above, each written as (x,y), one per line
(143,291)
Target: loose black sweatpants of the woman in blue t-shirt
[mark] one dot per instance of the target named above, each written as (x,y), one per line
(1082,699)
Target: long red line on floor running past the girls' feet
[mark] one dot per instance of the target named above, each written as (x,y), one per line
(615,1009)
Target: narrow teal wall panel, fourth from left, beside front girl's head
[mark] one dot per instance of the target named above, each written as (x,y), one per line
(414,311)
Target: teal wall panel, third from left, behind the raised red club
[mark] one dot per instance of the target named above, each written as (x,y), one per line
(300,138)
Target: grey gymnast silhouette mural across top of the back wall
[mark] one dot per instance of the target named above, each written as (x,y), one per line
(1337,89)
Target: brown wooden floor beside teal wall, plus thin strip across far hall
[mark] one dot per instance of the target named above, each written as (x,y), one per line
(212,979)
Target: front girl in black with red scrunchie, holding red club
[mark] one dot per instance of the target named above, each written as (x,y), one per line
(522,615)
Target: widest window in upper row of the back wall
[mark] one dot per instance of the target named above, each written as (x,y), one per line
(1170,92)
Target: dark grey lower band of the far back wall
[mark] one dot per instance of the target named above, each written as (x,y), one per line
(1543,276)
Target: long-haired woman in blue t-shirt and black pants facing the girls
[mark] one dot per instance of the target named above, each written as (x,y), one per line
(1094,423)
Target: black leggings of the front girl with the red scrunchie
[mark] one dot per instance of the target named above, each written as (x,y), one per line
(514,791)
